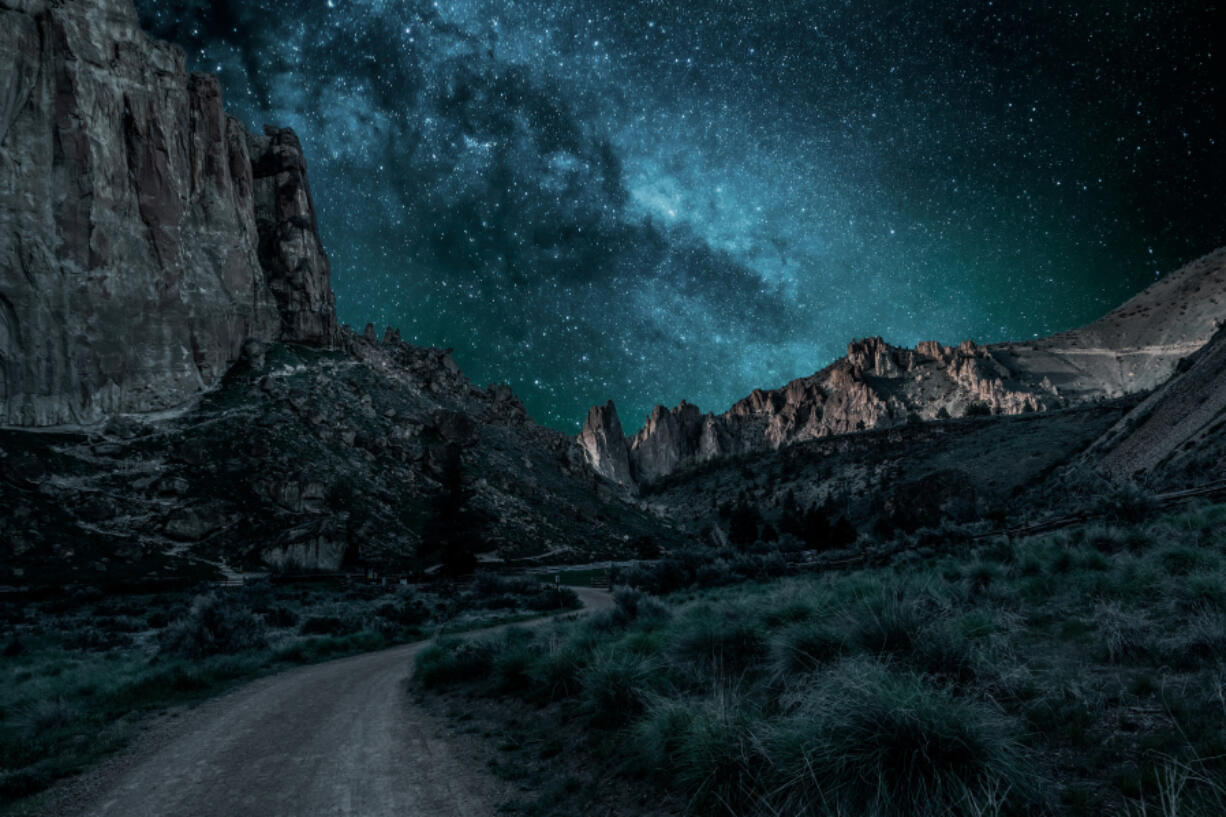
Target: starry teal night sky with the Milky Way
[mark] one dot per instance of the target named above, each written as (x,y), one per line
(655,202)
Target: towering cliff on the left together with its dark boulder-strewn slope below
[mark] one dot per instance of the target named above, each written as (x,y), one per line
(155,255)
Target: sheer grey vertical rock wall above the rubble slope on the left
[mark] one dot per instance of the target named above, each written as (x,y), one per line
(131,246)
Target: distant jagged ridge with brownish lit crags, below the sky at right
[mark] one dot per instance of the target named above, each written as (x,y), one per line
(1133,349)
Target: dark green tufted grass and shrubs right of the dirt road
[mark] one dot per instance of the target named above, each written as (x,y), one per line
(1078,673)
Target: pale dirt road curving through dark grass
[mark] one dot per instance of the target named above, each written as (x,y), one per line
(341,738)
